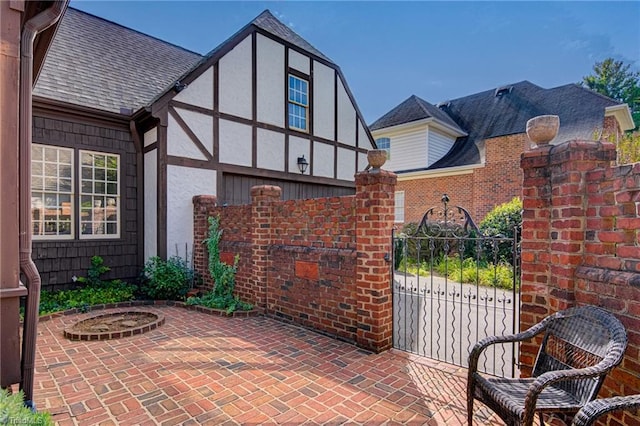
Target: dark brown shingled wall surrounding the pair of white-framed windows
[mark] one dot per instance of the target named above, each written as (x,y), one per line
(59,260)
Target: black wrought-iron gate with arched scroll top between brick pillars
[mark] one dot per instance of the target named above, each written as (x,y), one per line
(452,286)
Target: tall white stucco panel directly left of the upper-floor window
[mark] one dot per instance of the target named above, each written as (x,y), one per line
(270,83)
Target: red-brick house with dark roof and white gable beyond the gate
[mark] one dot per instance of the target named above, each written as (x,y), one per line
(469,148)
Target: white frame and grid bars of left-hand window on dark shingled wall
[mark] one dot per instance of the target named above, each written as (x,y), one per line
(42,190)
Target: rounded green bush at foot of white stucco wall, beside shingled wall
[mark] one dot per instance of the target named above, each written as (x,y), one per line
(166,279)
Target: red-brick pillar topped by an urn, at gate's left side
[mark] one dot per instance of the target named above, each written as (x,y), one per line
(375,205)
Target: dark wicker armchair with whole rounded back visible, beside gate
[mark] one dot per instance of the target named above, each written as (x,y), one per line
(579,347)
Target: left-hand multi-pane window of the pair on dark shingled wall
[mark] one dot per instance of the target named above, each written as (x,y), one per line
(51,192)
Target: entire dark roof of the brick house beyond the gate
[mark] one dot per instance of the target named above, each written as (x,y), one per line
(488,114)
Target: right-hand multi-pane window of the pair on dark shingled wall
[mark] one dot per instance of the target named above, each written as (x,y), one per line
(99,194)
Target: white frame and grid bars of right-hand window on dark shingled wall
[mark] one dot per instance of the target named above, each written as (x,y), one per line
(104,198)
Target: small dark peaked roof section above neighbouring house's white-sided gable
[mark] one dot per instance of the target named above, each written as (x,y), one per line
(412,109)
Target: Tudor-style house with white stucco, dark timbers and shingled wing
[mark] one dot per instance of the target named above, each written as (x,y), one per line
(127,128)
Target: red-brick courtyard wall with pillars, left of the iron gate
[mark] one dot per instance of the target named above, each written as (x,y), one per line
(318,262)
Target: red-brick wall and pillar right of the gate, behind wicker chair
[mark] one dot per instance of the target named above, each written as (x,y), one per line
(580,243)
